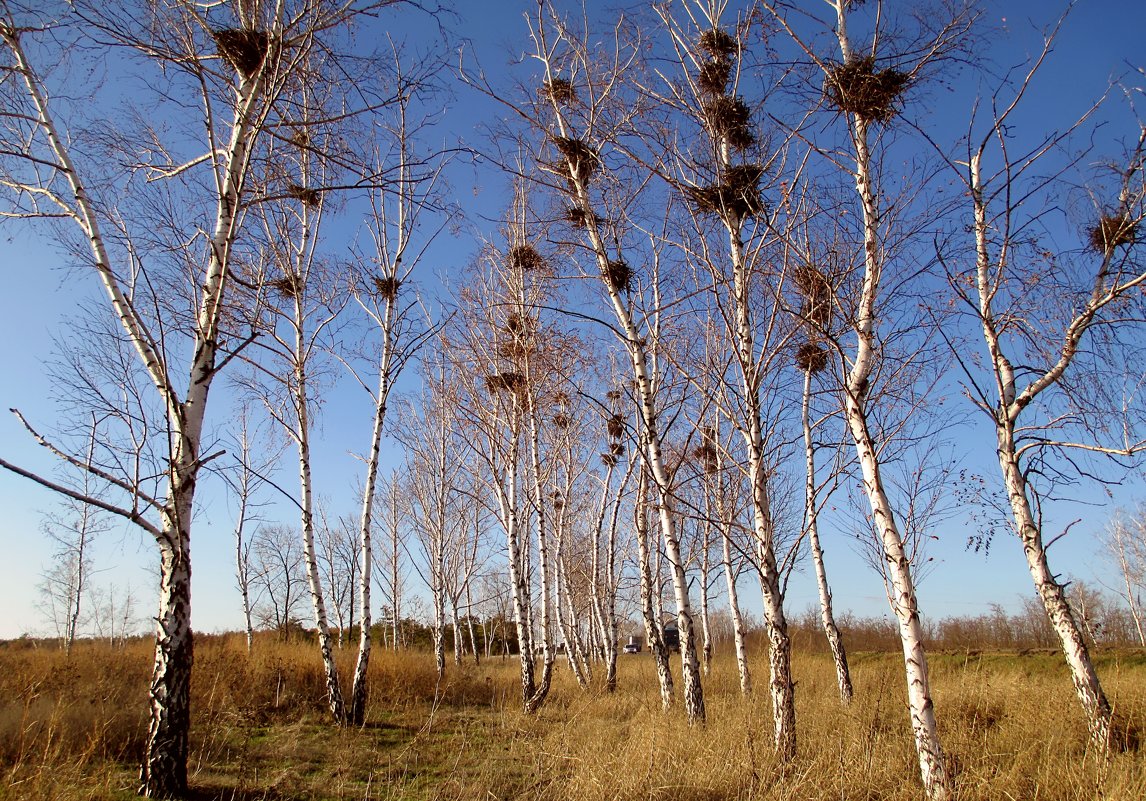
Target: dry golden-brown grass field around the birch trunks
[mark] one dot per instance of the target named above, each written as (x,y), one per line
(75,729)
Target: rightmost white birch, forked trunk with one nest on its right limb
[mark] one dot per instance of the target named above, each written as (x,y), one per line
(1053,337)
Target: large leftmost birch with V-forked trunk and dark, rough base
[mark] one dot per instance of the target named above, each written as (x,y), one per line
(234,65)
